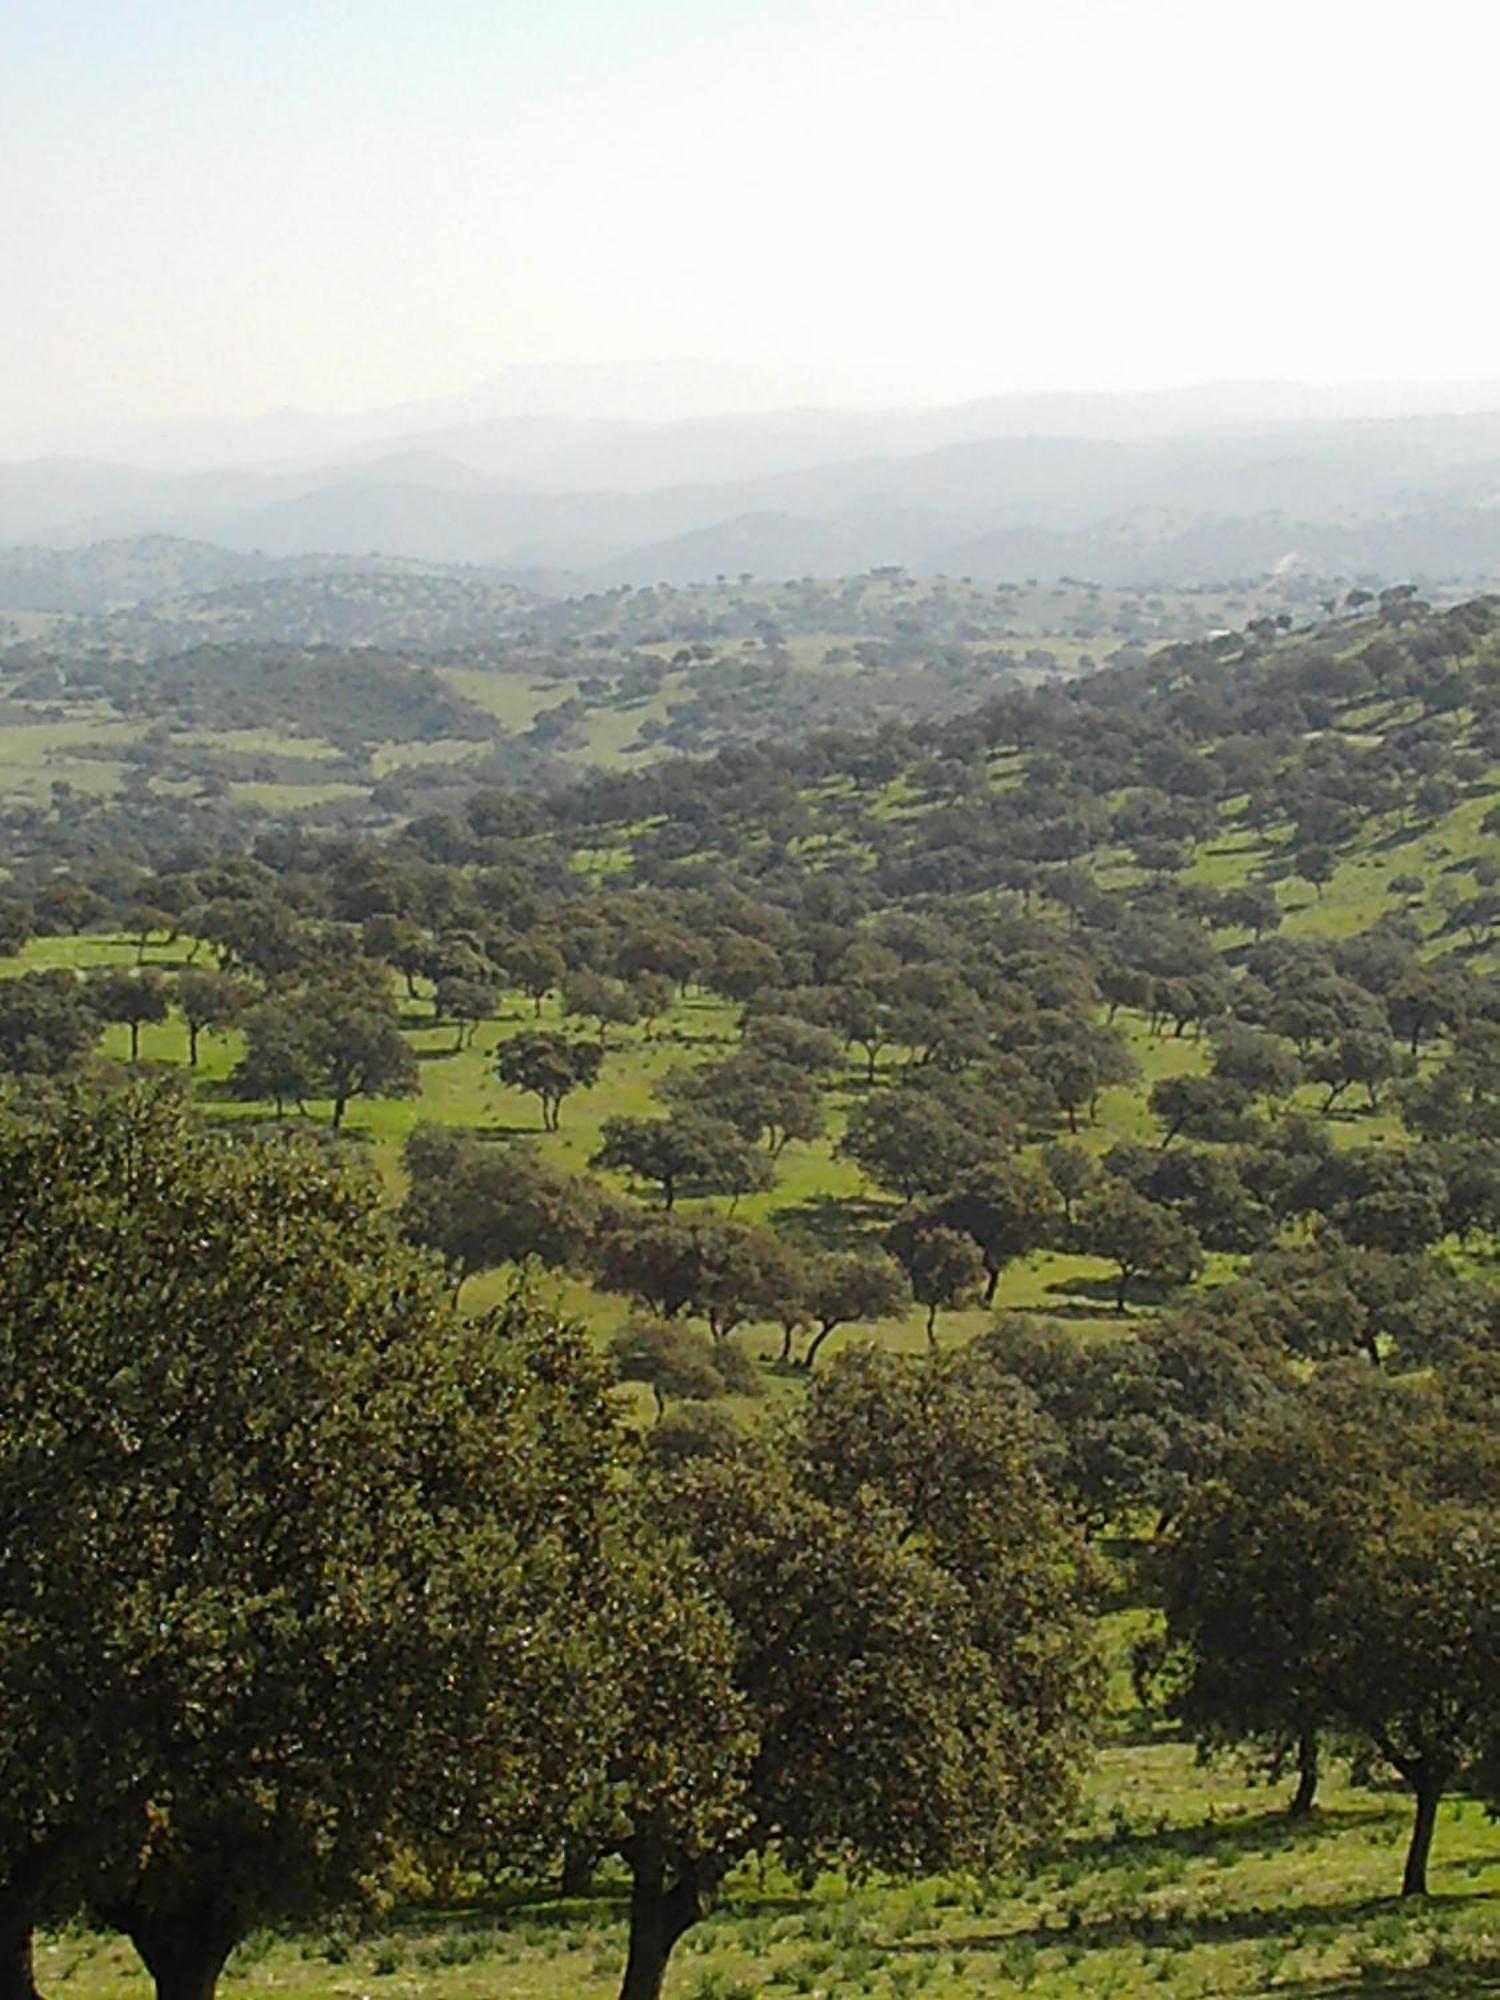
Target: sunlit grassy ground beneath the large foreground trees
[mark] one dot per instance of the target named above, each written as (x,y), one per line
(1177,1881)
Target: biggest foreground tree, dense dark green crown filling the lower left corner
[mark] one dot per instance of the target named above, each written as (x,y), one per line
(293,1567)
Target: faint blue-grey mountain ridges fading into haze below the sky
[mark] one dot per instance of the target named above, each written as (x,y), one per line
(607,477)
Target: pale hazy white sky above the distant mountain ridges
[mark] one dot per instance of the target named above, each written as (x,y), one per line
(233,205)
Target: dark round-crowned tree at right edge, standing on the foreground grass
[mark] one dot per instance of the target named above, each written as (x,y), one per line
(1345,1573)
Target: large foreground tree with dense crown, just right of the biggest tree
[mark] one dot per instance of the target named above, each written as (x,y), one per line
(905,1675)
